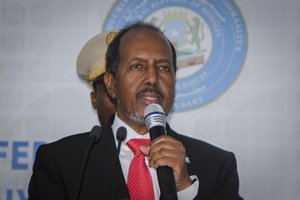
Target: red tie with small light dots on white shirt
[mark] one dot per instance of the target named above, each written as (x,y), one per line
(139,181)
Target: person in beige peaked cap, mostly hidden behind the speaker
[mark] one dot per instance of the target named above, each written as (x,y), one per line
(91,68)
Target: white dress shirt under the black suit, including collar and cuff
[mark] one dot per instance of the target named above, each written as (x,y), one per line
(126,155)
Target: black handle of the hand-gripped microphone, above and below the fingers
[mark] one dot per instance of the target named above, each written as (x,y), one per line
(165,174)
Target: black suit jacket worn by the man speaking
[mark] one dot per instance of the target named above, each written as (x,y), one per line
(57,169)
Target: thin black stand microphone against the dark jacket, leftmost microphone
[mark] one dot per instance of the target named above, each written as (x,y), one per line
(94,137)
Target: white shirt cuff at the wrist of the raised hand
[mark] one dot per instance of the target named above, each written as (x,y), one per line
(190,192)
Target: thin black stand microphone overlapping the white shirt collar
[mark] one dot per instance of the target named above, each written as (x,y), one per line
(121,136)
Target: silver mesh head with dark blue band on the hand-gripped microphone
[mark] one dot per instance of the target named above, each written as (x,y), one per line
(154,116)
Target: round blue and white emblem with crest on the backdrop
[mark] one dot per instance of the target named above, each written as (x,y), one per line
(210,38)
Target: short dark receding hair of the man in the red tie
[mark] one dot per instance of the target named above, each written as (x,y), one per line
(112,56)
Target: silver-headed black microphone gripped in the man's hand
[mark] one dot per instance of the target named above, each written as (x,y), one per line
(155,120)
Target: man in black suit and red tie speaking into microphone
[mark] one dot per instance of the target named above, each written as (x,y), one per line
(141,68)
